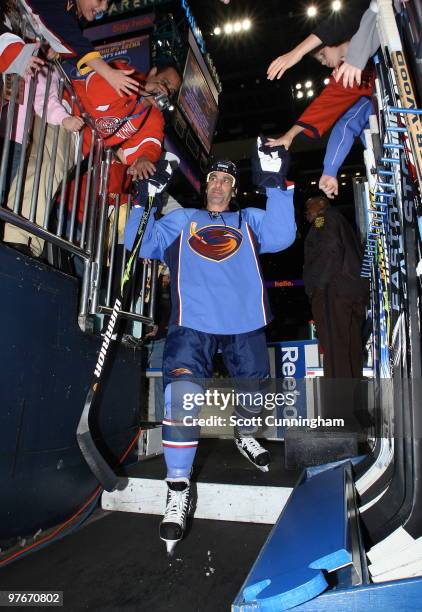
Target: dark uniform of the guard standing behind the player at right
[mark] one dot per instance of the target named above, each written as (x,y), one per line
(338,295)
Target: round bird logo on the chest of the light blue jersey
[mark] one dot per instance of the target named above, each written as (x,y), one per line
(215,242)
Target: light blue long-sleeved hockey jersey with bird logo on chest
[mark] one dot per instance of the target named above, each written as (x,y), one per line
(216,280)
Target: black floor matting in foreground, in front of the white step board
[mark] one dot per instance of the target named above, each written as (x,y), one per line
(119,563)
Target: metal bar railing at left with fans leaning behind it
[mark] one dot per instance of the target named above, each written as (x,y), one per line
(58,196)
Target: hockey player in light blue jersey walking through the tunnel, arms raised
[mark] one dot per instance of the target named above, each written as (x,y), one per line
(218,301)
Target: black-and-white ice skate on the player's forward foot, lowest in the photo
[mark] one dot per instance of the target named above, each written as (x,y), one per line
(173,525)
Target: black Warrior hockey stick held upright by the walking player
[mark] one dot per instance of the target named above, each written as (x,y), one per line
(96,462)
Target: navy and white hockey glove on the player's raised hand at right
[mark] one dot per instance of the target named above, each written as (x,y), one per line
(269,165)
